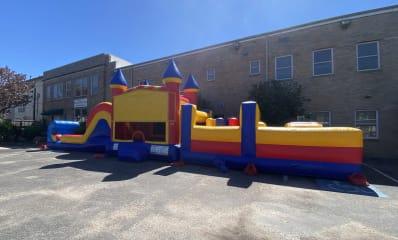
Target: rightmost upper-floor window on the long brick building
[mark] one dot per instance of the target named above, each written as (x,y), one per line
(368,57)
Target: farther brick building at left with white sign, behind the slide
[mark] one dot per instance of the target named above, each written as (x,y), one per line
(72,90)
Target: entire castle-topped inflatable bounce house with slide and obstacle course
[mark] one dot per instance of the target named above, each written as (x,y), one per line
(147,122)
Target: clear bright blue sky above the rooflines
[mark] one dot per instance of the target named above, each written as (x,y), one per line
(40,35)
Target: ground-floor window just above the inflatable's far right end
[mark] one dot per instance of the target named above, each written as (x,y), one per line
(368,122)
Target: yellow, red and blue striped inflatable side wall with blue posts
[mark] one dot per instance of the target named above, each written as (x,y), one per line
(320,152)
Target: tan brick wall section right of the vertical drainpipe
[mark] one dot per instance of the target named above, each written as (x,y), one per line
(344,92)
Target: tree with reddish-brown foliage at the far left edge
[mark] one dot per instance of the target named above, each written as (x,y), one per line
(14,90)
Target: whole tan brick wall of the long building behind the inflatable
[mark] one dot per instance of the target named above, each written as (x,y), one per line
(341,93)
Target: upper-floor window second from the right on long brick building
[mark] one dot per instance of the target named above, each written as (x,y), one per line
(322,62)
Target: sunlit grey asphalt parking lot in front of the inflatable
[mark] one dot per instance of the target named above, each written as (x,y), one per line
(60,195)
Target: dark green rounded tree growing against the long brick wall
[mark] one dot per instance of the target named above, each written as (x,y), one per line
(279,101)
